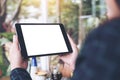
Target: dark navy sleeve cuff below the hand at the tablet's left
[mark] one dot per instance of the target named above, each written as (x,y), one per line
(19,74)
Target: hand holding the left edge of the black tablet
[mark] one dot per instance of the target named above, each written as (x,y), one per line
(16,60)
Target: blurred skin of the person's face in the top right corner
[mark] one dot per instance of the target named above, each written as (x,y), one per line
(113,10)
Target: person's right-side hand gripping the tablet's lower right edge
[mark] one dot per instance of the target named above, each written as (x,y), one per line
(69,60)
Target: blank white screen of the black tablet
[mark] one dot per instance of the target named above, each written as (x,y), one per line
(43,39)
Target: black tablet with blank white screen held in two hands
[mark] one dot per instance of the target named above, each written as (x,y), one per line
(42,39)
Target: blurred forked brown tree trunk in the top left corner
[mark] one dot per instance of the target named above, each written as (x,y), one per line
(5,22)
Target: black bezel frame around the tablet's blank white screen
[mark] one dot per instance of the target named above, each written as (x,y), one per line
(22,42)
